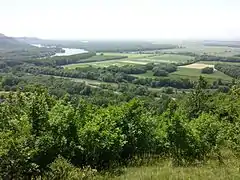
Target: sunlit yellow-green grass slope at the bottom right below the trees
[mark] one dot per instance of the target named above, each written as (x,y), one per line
(163,170)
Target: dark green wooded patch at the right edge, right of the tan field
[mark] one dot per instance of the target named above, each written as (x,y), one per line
(231,70)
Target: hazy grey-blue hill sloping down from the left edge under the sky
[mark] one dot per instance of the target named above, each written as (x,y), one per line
(11,43)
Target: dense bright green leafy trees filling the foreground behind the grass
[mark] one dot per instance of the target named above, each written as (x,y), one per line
(43,137)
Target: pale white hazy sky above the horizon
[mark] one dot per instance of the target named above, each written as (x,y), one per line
(121,19)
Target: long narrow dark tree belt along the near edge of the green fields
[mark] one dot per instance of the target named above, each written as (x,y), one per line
(105,75)
